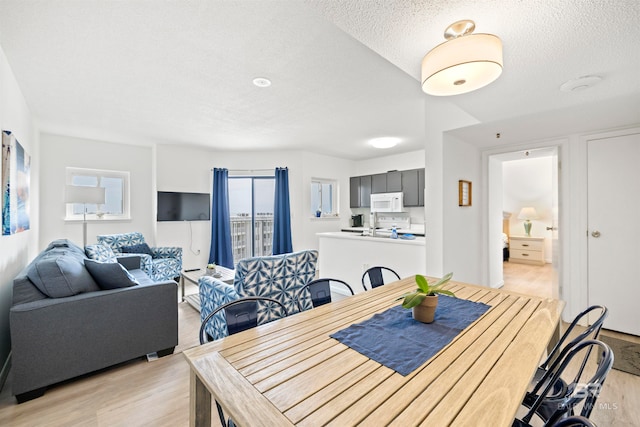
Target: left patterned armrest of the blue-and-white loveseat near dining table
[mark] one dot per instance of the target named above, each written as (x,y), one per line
(213,294)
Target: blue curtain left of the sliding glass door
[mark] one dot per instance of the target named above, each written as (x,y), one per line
(220,252)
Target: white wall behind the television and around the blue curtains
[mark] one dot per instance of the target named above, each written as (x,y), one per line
(189,169)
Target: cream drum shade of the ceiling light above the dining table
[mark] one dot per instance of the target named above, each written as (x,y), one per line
(462,65)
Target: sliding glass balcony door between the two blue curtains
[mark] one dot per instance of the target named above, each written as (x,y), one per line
(251,203)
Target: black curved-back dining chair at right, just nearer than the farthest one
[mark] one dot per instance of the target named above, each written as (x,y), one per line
(542,403)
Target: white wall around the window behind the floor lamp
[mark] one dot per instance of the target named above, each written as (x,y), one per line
(62,151)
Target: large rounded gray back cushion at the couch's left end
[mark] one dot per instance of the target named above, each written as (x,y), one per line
(61,274)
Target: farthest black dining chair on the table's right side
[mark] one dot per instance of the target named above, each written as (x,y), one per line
(560,349)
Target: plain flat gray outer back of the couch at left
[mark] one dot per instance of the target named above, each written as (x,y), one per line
(55,339)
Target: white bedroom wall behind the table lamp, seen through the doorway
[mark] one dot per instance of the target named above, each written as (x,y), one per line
(528,182)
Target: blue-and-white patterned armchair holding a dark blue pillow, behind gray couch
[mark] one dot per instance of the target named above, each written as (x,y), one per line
(164,263)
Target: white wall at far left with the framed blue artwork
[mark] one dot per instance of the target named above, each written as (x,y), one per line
(17,250)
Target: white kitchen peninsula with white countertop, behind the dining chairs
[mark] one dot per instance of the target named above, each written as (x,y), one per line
(346,256)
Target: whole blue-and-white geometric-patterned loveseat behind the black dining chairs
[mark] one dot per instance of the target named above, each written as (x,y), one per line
(278,276)
